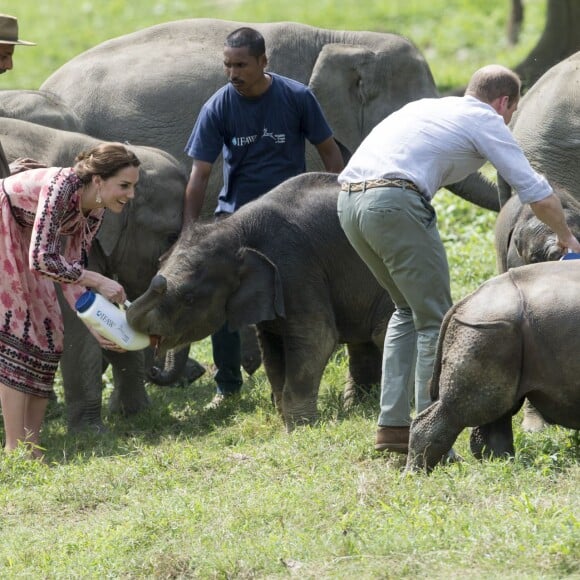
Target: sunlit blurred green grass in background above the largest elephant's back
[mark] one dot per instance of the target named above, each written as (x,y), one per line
(457,36)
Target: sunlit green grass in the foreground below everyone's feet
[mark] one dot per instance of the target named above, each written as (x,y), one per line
(181,492)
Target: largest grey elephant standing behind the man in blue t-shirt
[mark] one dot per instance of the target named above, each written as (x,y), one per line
(358,77)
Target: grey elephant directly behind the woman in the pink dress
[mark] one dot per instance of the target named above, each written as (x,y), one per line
(126,248)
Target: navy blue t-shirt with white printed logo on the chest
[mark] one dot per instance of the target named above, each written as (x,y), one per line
(262,139)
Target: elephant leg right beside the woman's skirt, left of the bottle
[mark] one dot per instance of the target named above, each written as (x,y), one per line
(81,368)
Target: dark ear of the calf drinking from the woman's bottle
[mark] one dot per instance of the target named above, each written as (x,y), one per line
(259,296)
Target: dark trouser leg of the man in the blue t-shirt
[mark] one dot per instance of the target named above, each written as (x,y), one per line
(227,357)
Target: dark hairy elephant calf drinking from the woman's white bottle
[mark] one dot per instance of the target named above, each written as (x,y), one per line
(284,264)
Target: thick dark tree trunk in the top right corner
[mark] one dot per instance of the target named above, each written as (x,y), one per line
(560,39)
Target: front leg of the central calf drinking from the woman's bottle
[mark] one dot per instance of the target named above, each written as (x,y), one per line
(305,361)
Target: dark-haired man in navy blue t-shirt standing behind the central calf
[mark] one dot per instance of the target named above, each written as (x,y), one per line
(259,121)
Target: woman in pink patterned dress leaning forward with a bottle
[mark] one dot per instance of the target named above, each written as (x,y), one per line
(48,218)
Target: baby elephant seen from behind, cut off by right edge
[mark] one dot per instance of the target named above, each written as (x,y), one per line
(516,336)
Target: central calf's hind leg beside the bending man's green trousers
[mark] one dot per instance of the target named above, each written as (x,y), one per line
(364,365)
